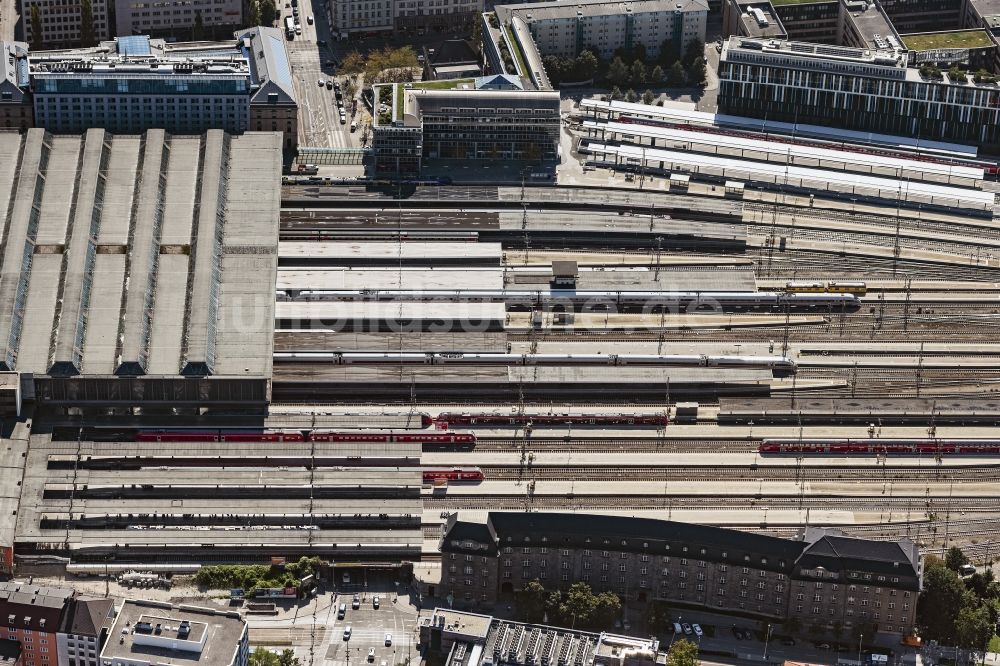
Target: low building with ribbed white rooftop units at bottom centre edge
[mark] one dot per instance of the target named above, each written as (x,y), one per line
(471,639)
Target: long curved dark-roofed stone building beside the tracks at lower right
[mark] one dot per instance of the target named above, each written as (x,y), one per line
(821,577)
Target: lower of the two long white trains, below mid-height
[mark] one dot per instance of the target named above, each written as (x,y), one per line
(780,363)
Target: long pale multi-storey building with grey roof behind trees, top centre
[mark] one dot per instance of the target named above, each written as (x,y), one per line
(565,29)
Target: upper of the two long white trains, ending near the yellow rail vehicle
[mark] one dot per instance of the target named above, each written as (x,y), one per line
(649,299)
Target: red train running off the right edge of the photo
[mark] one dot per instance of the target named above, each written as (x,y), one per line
(933,447)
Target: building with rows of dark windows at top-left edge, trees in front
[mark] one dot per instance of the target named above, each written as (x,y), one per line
(61,22)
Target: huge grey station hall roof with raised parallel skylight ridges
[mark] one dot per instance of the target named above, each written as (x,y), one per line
(149,254)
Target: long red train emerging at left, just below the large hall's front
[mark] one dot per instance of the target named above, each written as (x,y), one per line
(267,436)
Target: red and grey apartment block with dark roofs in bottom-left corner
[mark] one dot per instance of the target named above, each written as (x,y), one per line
(54,626)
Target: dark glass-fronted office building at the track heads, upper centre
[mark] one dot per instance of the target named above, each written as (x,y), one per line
(494,118)
